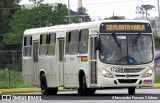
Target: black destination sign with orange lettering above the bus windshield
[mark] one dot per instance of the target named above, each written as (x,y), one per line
(125,27)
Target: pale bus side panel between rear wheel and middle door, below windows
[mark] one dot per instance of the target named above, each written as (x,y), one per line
(48,65)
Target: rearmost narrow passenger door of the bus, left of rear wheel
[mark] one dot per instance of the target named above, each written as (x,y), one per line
(35,63)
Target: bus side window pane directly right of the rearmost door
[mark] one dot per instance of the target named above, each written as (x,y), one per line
(43,44)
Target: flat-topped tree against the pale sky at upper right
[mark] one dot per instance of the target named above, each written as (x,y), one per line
(143,9)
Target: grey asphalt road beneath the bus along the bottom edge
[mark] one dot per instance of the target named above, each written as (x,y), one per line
(101,96)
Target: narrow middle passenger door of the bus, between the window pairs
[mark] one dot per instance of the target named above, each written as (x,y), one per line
(61,61)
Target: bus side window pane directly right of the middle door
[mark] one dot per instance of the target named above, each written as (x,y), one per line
(73,42)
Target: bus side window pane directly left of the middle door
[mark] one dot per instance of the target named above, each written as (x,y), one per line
(51,44)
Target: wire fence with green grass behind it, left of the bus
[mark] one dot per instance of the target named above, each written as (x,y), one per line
(10,68)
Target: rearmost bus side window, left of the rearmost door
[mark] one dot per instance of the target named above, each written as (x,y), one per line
(27,46)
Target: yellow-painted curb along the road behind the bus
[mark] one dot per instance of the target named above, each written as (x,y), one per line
(35,89)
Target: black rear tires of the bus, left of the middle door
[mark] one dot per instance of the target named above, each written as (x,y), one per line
(44,89)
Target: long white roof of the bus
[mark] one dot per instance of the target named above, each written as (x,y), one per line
(68,27)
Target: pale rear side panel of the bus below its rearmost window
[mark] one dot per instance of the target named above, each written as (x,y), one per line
(27,71)
